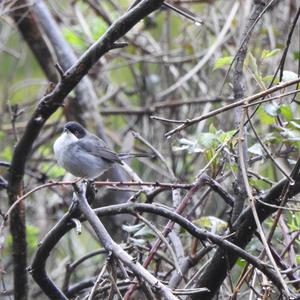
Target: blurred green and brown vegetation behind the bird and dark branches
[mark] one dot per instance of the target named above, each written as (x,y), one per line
(130,85)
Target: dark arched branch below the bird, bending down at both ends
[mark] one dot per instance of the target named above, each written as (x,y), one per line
(38,266)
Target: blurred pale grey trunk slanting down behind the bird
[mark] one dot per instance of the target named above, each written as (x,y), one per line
(83,106)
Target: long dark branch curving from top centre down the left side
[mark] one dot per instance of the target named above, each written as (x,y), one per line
(47,106)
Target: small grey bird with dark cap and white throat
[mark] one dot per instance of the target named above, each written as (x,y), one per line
(85,155)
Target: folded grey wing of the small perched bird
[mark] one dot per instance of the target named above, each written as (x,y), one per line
(98,148)
